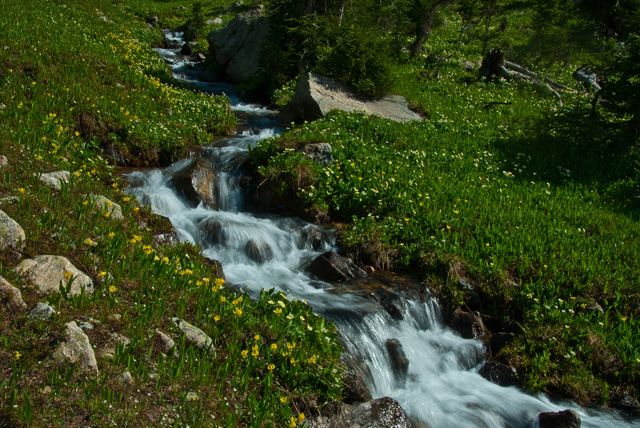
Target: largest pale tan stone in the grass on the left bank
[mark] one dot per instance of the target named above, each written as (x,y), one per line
(48,273)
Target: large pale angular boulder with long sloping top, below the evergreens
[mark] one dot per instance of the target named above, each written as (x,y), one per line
(316,96)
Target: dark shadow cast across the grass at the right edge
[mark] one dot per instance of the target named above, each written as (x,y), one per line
(577,147)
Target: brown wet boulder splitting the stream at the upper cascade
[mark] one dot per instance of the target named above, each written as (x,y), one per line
(196,182)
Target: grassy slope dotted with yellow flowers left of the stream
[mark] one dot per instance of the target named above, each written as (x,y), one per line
(77,76)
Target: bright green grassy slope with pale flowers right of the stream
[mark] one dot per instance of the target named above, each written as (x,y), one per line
(544,225)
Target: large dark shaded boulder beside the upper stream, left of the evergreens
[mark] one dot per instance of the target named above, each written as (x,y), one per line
(237,46)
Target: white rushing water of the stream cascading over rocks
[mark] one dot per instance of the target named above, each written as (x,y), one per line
(442,387)
